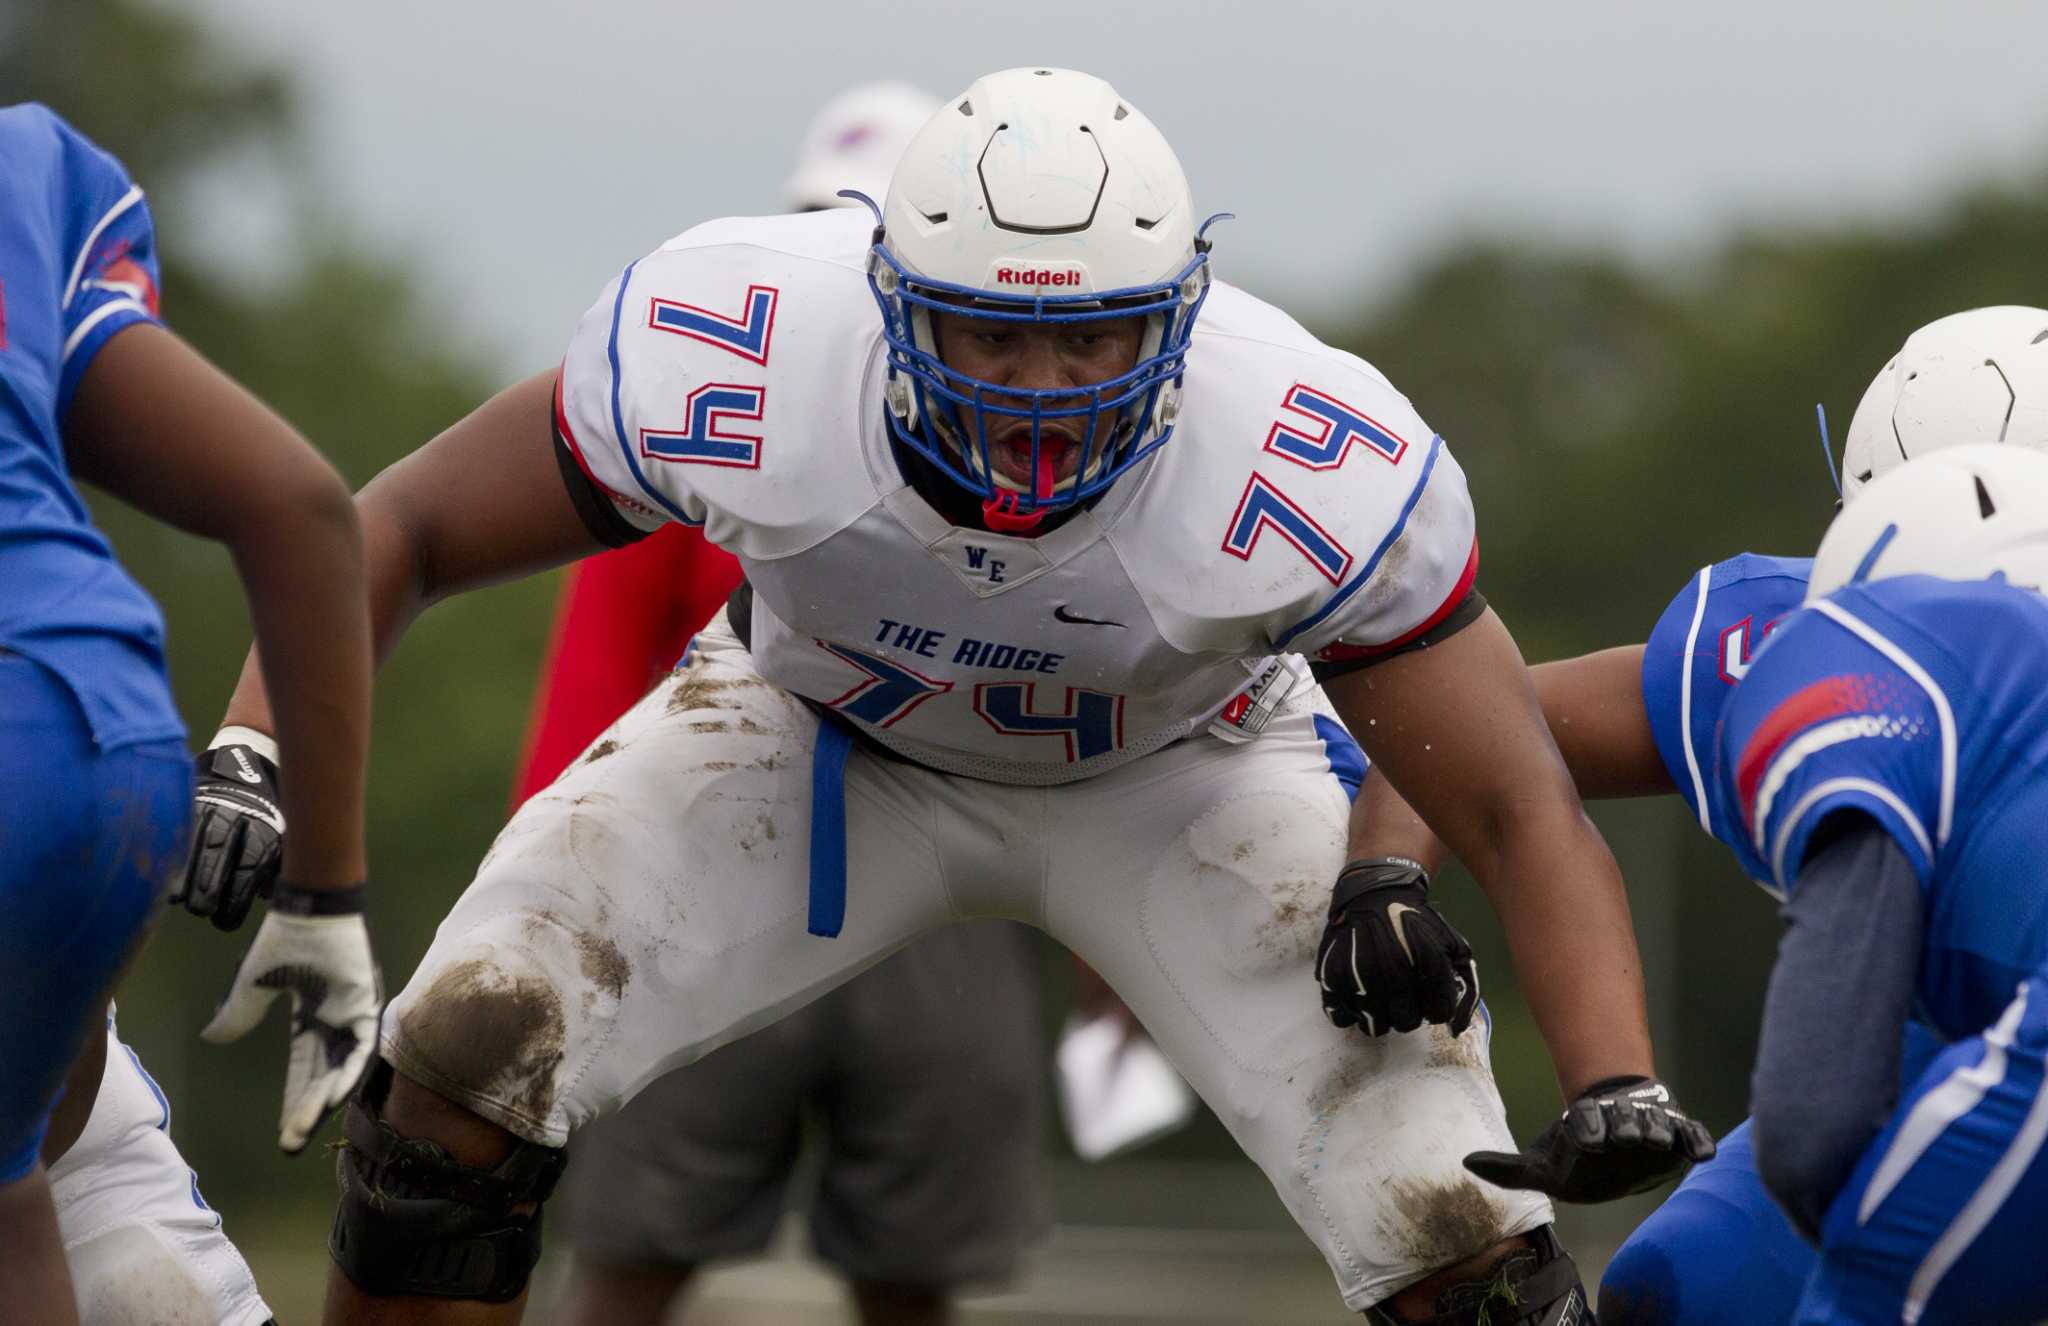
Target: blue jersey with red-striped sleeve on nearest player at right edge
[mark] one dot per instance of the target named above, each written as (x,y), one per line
(1922,704)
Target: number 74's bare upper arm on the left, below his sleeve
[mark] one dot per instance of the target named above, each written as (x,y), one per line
(482,503)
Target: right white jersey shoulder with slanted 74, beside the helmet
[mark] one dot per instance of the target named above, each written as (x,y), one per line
(1304,503)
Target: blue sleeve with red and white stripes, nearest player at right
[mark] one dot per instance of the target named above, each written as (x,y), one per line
(1838,714)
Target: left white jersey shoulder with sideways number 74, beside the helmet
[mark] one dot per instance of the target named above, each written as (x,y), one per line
(726,382)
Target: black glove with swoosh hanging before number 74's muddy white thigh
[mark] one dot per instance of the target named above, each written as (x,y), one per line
(1390,960)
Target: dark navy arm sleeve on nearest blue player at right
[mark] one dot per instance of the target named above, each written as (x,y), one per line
(1828,1067)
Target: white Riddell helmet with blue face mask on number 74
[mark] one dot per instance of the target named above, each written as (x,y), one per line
(1037,198)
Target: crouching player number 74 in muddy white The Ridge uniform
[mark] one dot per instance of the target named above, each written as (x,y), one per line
(1029,565)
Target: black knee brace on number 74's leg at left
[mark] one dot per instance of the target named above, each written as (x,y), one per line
(415,1220)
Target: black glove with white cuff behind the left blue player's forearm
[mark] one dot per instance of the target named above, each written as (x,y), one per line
(239,833)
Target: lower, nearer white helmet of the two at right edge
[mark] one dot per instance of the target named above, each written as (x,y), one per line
(1963,513)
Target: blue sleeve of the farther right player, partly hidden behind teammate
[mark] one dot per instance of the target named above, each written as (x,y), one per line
(1695,657)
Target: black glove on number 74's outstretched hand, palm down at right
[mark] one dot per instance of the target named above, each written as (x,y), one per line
(1621,1136)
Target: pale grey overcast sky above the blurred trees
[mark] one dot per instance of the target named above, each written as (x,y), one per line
(521,151)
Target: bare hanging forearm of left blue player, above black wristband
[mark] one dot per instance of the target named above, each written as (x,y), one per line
(304,579)
